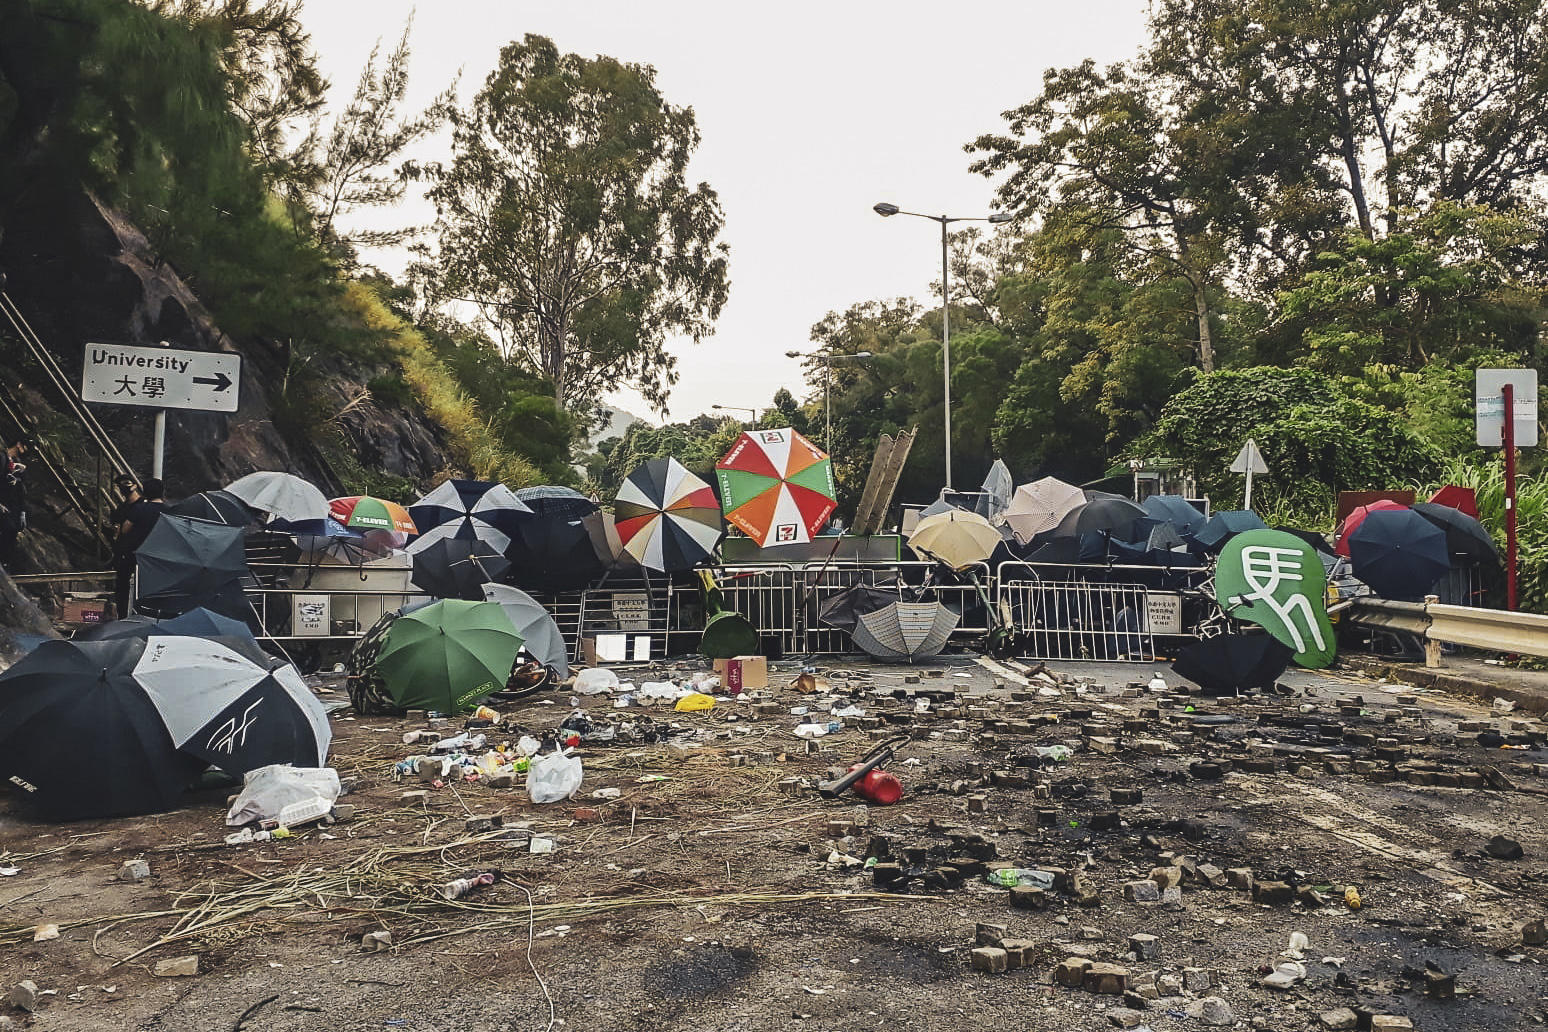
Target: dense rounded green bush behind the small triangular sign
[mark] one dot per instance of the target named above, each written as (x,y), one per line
(1315,439)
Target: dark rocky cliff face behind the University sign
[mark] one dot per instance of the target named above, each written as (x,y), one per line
(89,276)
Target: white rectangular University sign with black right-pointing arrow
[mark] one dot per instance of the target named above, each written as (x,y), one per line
(162,378)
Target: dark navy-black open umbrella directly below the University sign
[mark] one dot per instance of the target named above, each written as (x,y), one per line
(188,562)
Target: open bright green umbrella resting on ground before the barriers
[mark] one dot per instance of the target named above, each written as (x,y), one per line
(448,655)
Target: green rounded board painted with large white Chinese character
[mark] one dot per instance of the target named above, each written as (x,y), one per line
(1276,581)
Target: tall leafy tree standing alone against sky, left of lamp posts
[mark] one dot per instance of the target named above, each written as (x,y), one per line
(567,216)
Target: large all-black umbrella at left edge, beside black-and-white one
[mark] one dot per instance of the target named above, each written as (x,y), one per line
(80,737)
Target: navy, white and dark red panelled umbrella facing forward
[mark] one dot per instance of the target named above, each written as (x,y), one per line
(666,518)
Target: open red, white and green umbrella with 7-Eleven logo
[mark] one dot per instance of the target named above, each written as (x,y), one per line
(776,487)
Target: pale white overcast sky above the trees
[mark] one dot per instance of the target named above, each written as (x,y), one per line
(810,114)
